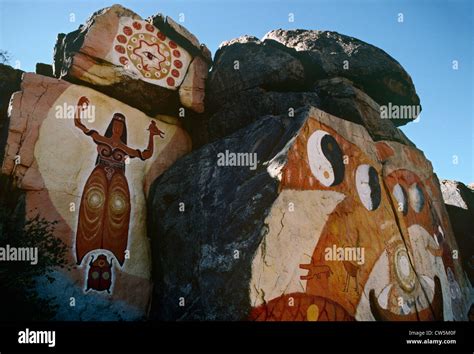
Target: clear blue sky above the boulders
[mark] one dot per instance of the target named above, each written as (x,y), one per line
(433,34)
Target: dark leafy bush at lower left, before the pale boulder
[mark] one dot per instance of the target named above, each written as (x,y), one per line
(19,300)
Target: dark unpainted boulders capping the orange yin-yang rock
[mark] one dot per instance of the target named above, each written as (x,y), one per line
(252,78)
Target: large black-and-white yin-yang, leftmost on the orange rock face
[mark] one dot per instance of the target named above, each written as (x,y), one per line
(325,158)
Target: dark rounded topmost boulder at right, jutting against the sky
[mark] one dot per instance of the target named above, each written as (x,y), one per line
(327,54)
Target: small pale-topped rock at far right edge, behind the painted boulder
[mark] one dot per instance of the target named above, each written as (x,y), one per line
(459,200)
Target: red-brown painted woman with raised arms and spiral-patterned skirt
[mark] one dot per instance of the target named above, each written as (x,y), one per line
(104,214)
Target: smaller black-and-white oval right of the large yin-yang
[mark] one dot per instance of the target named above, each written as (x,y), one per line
(368,186)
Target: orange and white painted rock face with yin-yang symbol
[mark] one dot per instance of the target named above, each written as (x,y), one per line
(362,238)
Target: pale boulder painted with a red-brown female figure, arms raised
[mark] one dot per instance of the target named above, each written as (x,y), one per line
(73,175)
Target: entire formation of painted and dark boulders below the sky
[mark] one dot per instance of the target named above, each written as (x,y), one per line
(303,201)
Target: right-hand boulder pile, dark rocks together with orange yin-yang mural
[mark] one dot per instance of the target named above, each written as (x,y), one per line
(308,202)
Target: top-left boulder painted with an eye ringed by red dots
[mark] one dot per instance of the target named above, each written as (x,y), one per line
(155,65)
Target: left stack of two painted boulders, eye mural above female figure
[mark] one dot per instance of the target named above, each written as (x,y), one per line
(86,144)
